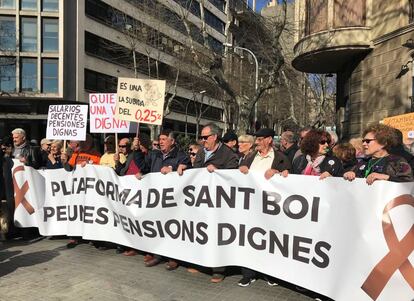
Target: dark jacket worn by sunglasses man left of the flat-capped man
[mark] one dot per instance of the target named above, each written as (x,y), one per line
(222,158)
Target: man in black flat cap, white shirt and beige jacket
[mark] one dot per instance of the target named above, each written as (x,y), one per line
(267,159)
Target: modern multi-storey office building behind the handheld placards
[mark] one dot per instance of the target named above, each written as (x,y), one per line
(59,51)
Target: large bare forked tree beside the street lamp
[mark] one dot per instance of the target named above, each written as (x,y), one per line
(260,35)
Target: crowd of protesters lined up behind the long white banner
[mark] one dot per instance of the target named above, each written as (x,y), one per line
(379,155)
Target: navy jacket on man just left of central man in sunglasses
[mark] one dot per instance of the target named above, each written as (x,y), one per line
(154,161)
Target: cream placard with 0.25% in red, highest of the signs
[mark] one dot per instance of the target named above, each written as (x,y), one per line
(140,100)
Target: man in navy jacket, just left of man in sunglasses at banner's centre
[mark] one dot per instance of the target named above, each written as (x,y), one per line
(167,159)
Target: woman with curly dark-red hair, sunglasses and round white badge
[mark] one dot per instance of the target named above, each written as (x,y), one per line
(315,159)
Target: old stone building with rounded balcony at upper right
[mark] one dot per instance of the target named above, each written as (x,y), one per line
(368,44)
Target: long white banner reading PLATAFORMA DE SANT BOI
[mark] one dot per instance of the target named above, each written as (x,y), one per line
(345,240)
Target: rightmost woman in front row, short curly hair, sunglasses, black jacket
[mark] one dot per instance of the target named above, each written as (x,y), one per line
(377,142)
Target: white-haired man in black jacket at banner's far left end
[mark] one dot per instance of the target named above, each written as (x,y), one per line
(22,150)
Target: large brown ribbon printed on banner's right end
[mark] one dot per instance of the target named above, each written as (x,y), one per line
(397,257)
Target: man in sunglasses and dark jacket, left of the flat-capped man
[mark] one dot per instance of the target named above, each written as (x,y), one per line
(215,155)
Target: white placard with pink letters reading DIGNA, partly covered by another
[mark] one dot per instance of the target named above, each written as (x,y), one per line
(102,108)
